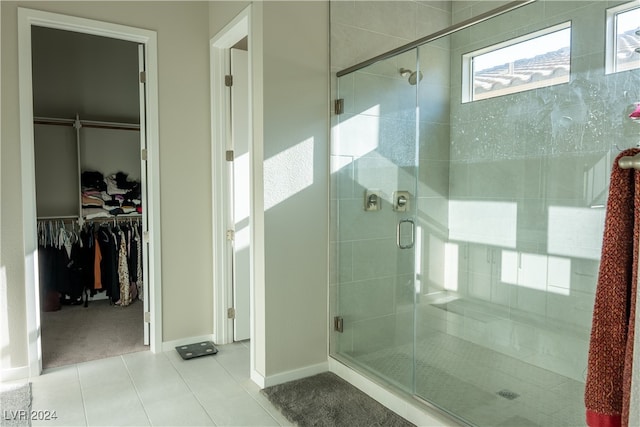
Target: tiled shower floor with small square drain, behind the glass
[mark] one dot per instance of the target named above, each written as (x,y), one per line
(479,385)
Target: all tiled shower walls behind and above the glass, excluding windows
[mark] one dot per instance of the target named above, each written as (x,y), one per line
(512,186)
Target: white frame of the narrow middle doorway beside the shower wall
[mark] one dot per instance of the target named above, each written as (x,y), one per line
(248,23)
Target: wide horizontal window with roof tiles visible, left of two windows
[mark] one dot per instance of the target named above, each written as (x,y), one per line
(535,60)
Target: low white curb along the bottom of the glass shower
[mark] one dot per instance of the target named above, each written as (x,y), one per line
(405,407)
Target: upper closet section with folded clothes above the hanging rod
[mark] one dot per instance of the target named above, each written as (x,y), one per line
(63,161)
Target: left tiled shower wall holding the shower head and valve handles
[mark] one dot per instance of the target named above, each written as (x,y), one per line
(378,300)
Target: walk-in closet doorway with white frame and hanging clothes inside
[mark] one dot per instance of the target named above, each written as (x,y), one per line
(89,152)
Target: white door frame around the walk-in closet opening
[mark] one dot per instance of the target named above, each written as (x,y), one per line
(26,19)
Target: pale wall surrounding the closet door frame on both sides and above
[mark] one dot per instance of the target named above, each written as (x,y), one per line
(185,170)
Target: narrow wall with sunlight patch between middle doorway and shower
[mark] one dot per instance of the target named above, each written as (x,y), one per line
(295,58)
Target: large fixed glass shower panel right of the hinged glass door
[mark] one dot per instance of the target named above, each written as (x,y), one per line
(514,189)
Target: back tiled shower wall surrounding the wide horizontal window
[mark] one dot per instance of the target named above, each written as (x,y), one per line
(538,161)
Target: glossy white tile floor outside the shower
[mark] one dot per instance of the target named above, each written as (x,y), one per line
(146,389)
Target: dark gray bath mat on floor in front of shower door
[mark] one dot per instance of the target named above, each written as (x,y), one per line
(328,400)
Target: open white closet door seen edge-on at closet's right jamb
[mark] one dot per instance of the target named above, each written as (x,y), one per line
(145,204)
